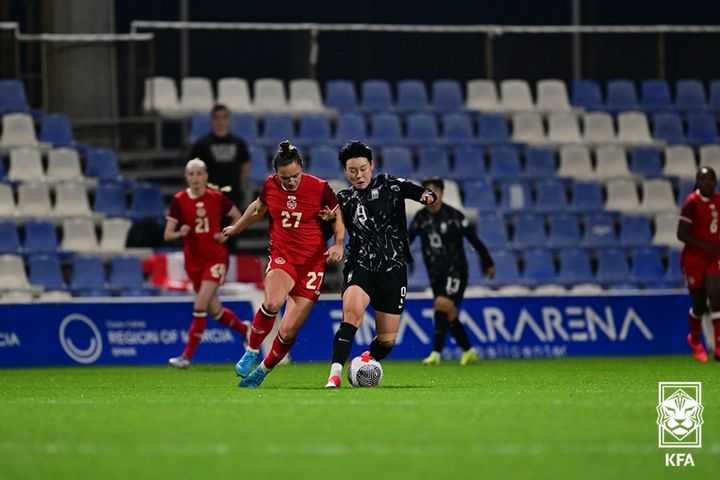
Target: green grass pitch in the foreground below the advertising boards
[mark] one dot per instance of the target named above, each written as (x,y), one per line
(586,418)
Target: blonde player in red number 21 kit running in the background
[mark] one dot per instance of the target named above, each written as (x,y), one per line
(199,210)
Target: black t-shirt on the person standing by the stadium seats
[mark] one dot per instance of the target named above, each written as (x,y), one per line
(224,157)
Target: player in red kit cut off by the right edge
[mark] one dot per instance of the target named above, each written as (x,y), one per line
(700,258)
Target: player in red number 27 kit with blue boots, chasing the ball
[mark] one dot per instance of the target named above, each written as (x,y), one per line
(296,202)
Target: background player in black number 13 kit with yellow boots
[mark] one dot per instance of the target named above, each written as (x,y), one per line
(441,229)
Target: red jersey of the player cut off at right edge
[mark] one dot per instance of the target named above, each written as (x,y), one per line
(703,215)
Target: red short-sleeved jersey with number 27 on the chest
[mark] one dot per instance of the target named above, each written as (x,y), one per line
(295,232)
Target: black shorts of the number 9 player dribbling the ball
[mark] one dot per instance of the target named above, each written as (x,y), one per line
(386,290)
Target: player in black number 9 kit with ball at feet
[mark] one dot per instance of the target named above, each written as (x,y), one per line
(373,210)
